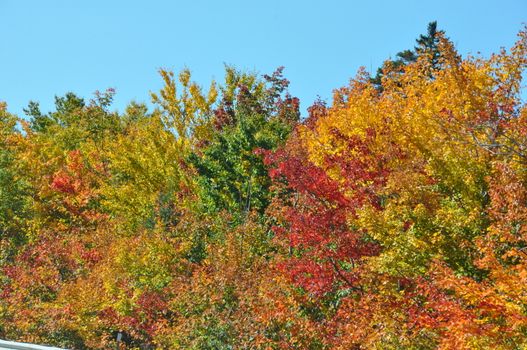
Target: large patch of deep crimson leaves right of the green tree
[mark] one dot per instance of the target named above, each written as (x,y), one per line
(327,250)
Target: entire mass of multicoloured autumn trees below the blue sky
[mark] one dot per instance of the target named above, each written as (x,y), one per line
(394,218)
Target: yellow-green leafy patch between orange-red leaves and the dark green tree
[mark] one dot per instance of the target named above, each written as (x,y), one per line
(144,163)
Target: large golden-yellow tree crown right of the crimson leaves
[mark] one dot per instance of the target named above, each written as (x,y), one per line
(432,202)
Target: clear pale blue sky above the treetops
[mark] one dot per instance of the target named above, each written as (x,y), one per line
(49,47)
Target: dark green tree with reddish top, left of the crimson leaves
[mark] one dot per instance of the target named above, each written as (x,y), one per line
(254,114)
